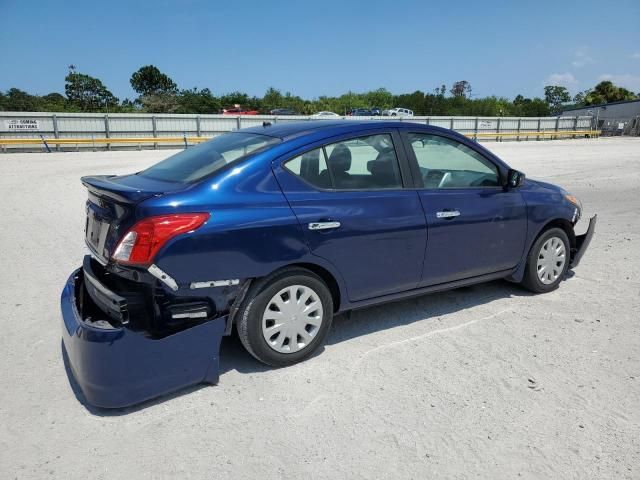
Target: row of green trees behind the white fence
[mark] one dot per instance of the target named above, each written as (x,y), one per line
(158,93)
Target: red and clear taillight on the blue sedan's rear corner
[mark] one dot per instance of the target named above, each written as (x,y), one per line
(141,243)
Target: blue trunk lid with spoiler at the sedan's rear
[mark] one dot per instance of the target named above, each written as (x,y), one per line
(111,208)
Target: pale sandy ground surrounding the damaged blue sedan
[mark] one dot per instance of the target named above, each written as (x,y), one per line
(482,382)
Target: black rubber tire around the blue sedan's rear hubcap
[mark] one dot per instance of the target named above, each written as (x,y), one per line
(249,318)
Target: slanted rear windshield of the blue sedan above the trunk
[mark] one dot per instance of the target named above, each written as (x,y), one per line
(197,162)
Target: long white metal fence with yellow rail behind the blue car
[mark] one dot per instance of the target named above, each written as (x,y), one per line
(64,131)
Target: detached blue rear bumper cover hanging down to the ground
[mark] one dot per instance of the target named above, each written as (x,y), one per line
(118,367)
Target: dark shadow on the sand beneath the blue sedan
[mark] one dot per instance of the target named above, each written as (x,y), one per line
(424,308)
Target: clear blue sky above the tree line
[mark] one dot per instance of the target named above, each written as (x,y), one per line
(325,47)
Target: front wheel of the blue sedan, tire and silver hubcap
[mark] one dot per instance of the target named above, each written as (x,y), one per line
(547,262)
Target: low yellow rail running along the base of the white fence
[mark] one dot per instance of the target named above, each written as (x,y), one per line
(181,140)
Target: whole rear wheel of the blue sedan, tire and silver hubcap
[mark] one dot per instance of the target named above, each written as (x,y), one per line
(285,317)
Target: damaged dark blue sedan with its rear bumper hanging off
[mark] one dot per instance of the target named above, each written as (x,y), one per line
(273,230)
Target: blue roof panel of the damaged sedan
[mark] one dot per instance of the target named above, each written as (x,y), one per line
(320,128)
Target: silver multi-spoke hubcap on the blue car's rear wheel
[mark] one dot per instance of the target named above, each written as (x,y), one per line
(292,319)
